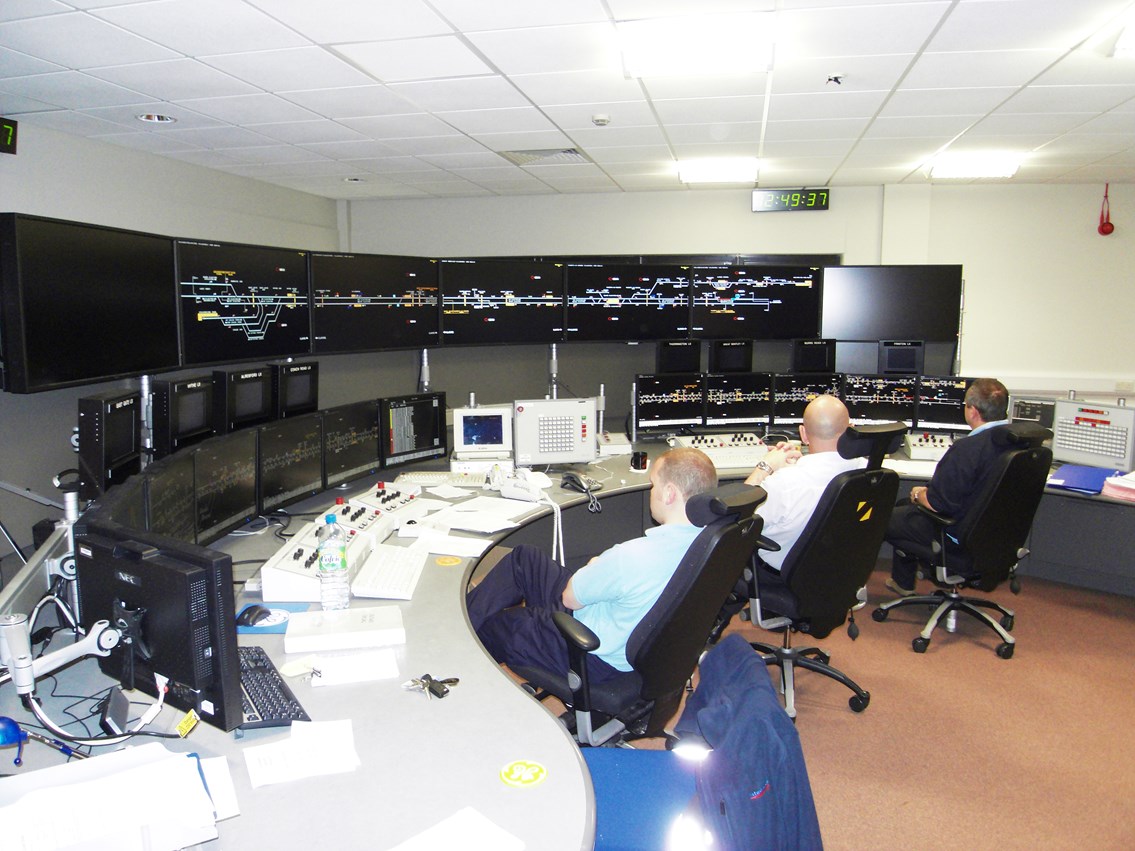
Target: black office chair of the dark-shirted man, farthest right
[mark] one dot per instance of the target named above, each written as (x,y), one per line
(983,551)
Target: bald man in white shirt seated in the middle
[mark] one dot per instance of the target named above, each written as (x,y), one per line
(795,483)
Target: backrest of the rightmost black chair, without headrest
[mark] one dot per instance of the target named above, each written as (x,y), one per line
(998,523)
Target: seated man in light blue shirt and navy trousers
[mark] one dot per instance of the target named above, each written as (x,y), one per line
(610,595)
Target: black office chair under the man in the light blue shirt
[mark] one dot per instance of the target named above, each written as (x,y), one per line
(668,643)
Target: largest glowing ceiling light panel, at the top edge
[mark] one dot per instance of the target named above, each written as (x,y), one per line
(702,46)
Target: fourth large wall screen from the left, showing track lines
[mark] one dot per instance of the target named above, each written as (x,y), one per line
(502,301)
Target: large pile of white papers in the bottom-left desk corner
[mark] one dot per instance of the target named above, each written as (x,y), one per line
(68,805)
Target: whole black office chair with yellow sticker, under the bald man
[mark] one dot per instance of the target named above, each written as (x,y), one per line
(820,582)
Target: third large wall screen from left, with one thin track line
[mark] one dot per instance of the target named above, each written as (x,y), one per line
(367,302)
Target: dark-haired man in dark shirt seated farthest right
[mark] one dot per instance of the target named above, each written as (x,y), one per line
(957,479)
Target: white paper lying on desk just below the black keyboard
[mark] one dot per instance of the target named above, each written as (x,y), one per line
(313,749)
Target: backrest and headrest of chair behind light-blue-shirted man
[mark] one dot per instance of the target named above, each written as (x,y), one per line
(666,646)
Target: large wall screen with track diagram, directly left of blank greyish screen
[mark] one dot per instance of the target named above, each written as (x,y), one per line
(755,302)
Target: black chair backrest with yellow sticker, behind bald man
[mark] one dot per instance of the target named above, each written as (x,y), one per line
(837,551)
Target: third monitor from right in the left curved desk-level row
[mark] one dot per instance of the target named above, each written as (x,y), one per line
(291,461)
